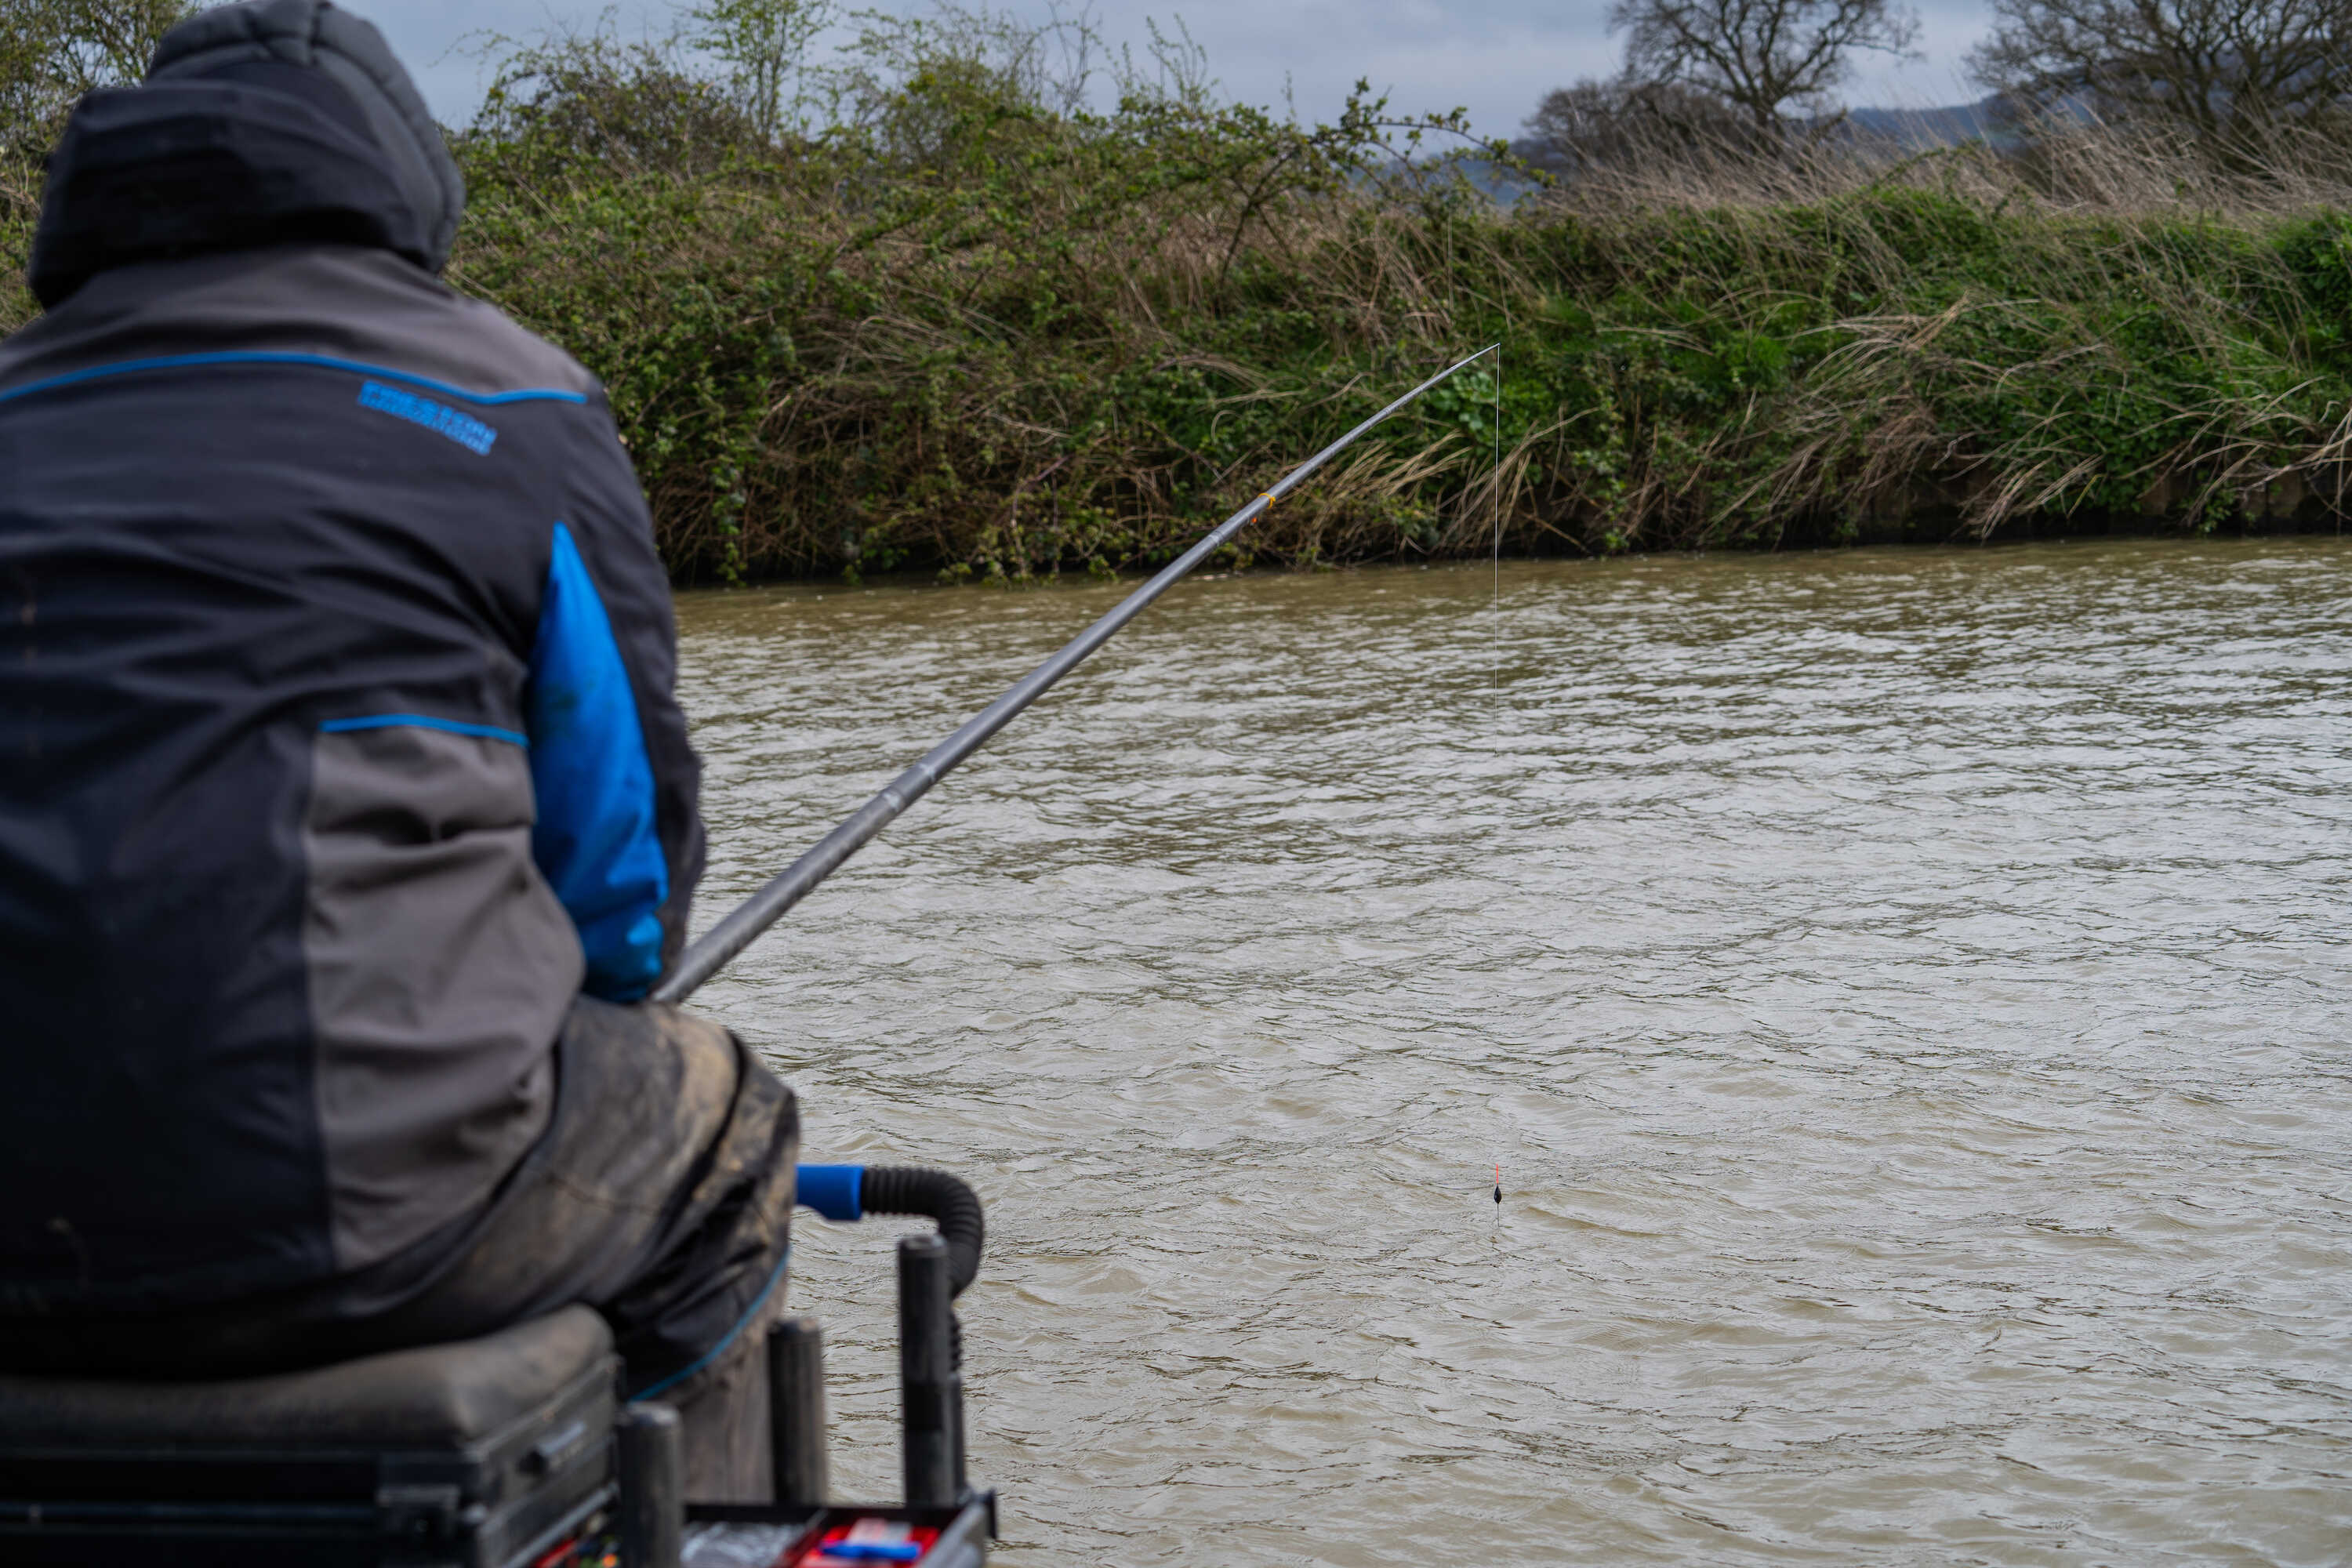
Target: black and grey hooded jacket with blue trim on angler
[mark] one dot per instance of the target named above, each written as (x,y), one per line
(338,730)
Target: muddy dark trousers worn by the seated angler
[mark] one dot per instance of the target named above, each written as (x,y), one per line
(660,1195)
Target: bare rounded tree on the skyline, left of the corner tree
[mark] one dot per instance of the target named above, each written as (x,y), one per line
(1763,58)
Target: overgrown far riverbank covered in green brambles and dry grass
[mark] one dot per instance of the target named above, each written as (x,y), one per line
(994,342)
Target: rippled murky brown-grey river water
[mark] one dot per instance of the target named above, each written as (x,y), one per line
(1904,991)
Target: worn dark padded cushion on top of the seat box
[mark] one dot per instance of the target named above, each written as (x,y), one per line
(429,1398)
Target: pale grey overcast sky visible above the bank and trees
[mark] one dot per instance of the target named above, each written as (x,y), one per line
(1495,58)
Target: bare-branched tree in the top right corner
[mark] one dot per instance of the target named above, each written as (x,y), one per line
(2212,67)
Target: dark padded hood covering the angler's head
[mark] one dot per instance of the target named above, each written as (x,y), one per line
(260,123)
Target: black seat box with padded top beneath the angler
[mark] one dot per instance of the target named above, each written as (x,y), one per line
(483,1454)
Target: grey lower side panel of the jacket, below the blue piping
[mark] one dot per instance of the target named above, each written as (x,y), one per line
(441,967)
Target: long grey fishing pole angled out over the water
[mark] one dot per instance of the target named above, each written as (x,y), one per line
(744,925)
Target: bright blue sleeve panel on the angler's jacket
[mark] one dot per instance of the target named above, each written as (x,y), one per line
(596,840)
